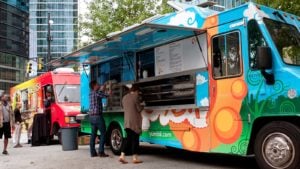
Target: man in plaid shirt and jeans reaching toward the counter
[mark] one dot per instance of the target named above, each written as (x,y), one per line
(96,118)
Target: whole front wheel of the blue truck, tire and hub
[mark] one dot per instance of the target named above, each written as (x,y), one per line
(277,146)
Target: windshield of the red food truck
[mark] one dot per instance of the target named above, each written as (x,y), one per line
(67,93)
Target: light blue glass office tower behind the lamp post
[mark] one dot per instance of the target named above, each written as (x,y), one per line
(64,14)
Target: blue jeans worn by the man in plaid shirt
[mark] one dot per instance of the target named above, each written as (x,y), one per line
(97,123)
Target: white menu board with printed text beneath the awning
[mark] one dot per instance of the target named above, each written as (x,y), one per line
(178,56)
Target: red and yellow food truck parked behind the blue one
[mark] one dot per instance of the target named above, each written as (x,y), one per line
(56,93)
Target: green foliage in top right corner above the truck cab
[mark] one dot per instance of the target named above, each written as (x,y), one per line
(291,6)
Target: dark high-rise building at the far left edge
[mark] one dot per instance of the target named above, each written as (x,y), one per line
(14,42)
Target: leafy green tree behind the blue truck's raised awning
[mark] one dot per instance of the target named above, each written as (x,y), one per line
(106,16)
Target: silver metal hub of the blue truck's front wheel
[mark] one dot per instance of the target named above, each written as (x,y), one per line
(278,150)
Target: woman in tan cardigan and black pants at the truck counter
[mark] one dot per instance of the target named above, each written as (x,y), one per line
(133,123)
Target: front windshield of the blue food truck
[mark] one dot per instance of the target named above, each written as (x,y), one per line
(287,40)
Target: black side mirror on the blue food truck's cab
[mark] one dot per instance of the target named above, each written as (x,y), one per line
(264,58)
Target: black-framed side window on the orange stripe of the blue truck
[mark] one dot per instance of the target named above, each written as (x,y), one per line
(226,55)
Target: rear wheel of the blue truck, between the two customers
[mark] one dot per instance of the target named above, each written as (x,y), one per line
(116,140)
